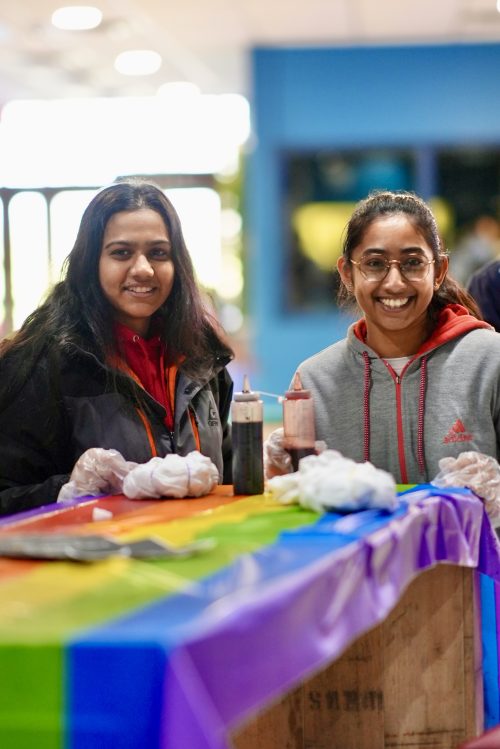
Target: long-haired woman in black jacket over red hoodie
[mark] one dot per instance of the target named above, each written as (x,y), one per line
(122,355)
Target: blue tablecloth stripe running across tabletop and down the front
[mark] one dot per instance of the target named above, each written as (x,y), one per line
(115,672)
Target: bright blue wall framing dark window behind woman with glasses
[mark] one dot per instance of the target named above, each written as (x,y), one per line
(347,98)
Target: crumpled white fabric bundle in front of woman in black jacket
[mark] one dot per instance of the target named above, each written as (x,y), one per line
(192,475)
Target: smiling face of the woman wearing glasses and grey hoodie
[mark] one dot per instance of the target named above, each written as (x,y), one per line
(395,309)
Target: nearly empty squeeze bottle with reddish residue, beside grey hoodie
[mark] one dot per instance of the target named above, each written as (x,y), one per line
(298,422)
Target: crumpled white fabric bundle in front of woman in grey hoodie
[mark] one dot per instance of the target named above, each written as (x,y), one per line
(332,482)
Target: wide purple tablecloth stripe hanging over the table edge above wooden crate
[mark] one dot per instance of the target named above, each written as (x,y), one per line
(334,601)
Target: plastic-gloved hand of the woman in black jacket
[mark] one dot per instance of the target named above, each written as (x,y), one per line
(97,471)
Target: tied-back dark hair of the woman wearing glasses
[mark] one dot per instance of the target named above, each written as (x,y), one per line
(386,203)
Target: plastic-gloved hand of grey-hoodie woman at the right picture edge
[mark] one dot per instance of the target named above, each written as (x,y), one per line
(478,472)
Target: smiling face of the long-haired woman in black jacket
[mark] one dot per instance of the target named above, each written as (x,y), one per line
(136,270)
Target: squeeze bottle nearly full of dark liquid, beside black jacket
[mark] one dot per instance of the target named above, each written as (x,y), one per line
(247,419)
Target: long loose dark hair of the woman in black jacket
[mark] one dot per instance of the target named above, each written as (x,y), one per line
(76,312)
